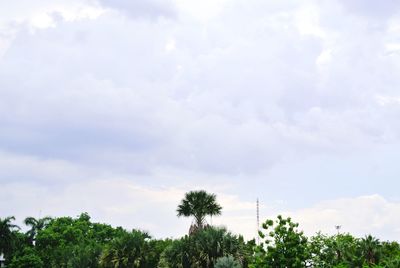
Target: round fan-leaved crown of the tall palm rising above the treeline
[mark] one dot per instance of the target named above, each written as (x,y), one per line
(199,204)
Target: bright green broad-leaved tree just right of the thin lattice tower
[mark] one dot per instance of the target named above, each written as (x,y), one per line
(283,246)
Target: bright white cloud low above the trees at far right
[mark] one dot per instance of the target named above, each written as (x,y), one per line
(359,216)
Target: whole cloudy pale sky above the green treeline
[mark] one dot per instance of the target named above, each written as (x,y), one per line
(117,108)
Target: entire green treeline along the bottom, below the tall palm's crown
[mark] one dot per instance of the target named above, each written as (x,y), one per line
(78,242)
